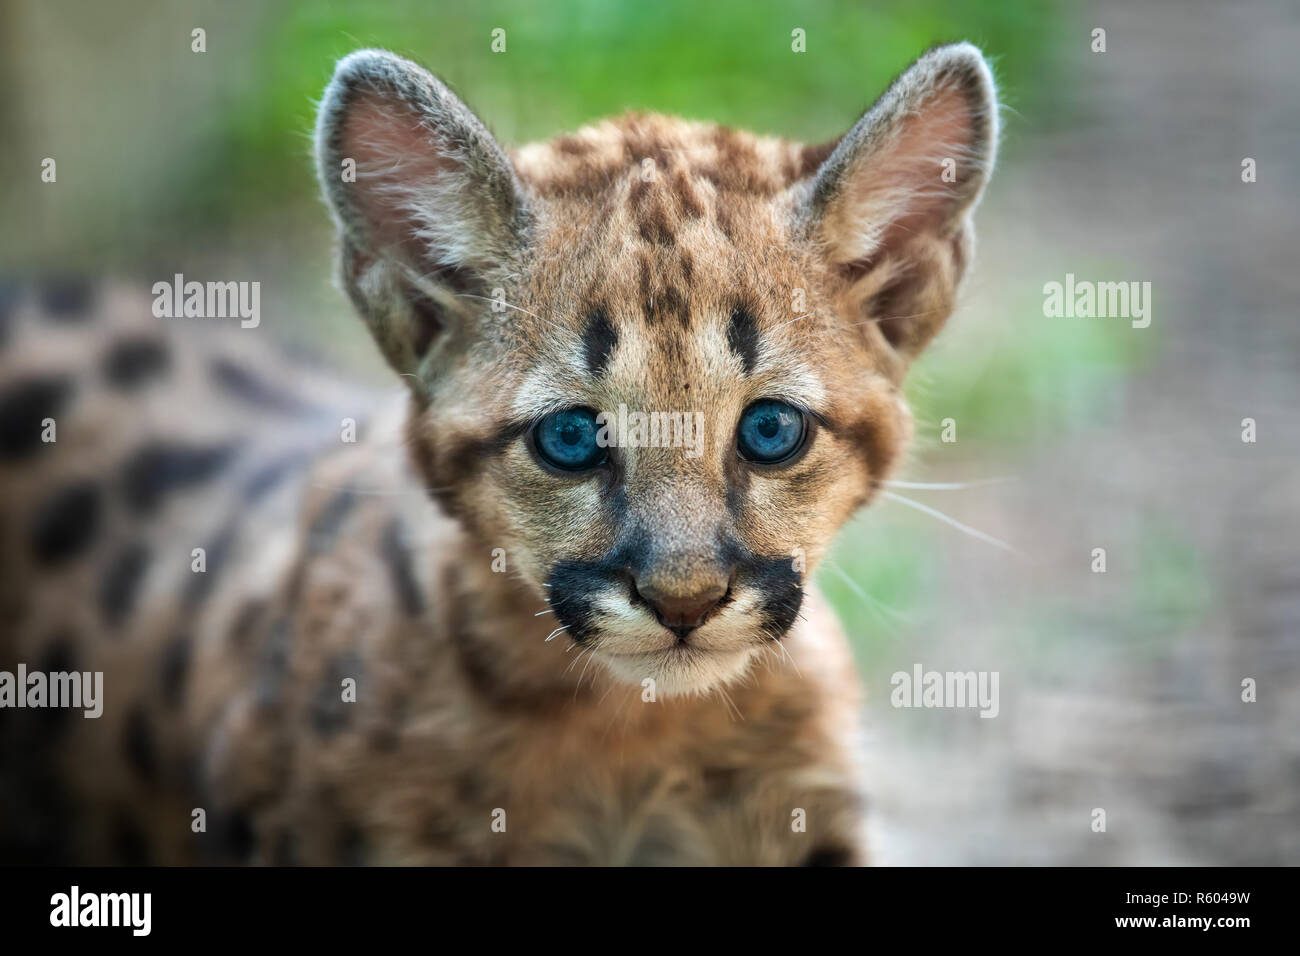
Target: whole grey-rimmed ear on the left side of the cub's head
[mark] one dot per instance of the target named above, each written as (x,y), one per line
(427,205)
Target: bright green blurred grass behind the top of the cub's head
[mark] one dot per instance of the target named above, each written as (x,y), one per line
(571,63)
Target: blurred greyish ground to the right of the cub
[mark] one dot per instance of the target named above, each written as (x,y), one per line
(1124,691)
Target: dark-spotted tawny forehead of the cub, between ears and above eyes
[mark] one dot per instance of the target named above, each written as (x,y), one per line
(664,246)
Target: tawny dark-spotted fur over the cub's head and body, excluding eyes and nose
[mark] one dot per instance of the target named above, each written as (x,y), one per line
(645,262)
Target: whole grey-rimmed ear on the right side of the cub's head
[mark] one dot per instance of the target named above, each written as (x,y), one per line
(891,206)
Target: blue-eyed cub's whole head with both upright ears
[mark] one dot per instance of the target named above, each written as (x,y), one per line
(658,362)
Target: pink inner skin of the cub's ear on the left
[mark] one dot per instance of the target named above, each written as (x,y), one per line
(400,166)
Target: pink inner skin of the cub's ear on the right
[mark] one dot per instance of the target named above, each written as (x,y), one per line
(898,189)
